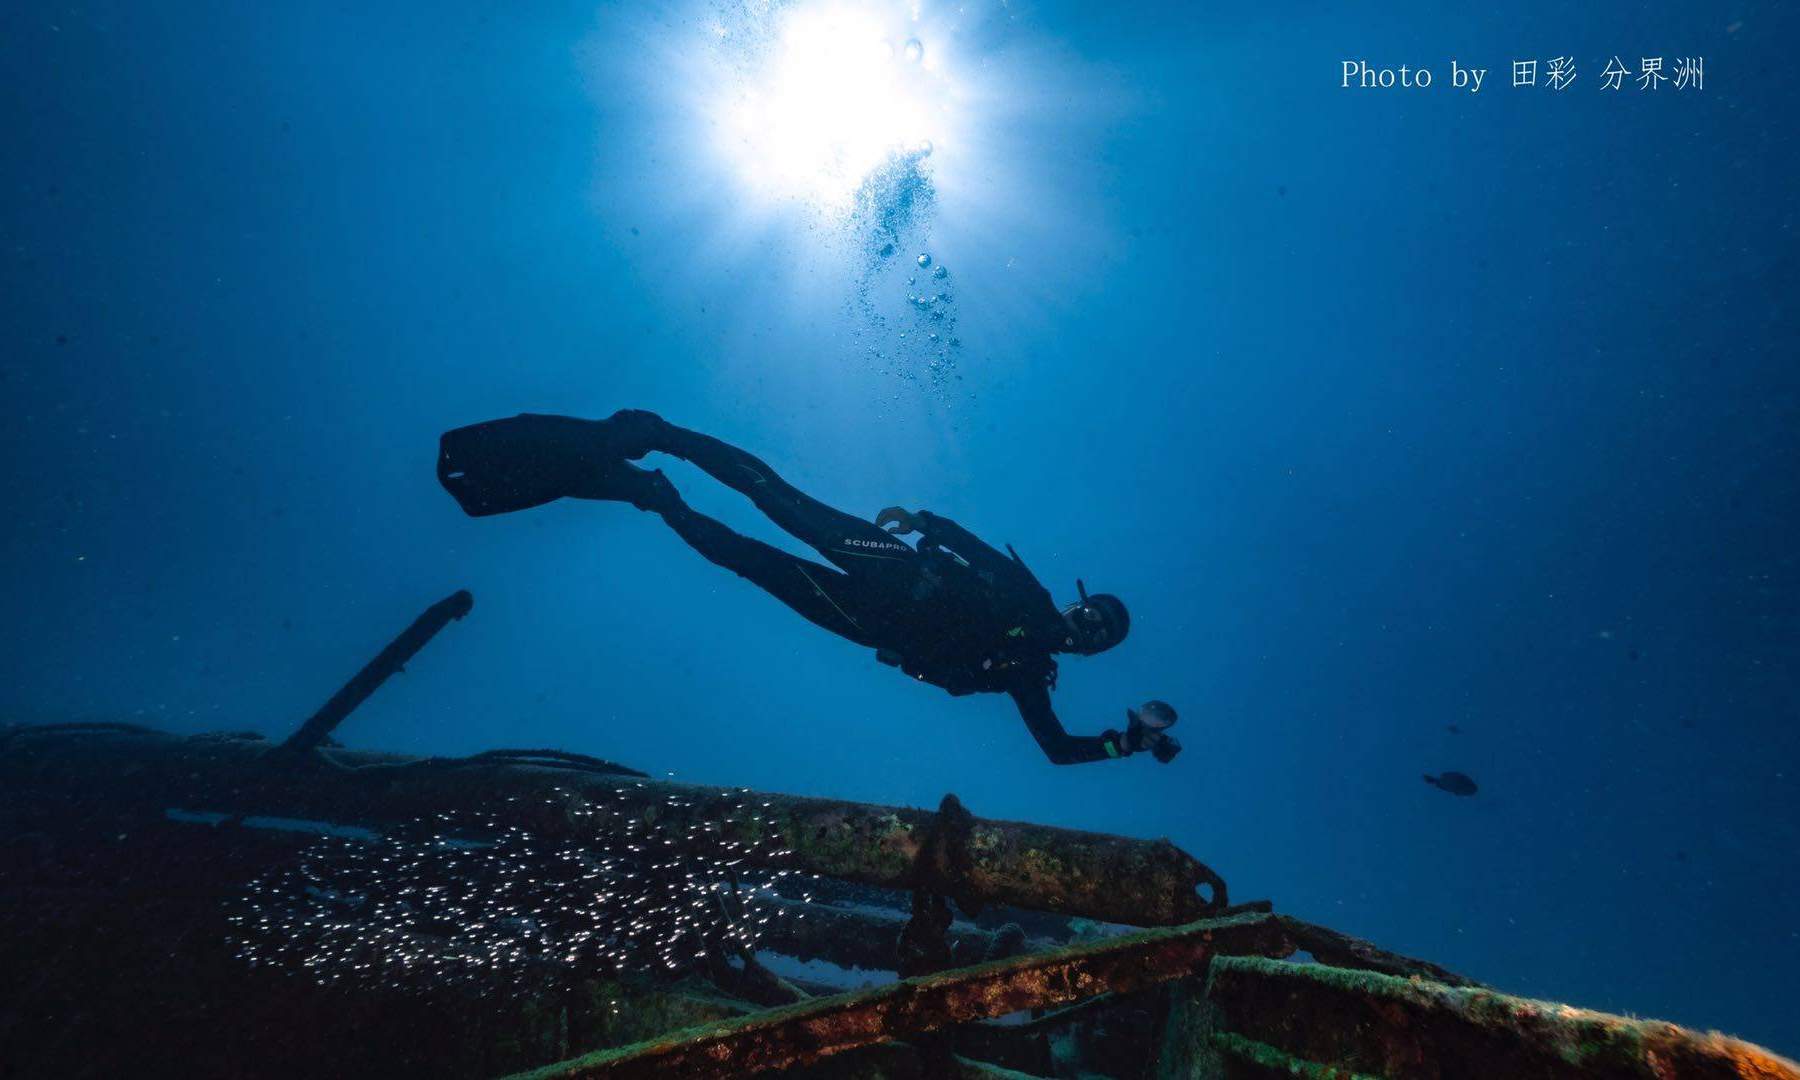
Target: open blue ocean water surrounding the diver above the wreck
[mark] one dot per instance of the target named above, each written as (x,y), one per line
(1419,429)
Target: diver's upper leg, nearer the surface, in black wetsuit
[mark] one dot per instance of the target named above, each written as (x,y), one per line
(849,541)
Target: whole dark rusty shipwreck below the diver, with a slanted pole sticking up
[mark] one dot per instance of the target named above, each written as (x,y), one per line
(226,906)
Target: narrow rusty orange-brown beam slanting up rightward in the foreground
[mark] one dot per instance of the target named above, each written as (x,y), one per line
(807,1032)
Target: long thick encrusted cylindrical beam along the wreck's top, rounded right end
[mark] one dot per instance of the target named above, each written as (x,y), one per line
(1070,872)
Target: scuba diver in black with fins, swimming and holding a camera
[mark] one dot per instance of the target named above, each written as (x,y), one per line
(949,611)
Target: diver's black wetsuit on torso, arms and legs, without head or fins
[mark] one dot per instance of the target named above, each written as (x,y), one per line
(951,613)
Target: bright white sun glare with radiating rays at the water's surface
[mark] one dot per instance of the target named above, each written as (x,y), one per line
(823,147)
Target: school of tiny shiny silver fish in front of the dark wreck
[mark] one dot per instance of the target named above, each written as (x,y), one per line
(463,897)
